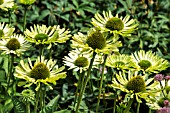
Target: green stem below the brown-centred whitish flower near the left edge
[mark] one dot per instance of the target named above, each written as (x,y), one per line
(10,71)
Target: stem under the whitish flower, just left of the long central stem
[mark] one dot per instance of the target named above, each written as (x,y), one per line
(79,86)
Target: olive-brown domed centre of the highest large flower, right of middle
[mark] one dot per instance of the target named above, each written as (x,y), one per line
(114,23)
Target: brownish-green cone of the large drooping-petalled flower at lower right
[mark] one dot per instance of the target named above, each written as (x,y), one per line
(137,84)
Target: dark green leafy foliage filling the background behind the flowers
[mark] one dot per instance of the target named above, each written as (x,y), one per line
(153,34)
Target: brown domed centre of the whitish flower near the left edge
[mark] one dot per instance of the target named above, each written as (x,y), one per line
(13,44)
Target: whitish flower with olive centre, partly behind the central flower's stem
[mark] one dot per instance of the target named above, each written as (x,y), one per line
(78,60)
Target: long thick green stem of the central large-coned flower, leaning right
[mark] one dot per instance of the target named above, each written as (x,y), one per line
(85,82)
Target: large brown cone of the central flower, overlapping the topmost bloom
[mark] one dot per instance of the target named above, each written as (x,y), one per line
(96,40)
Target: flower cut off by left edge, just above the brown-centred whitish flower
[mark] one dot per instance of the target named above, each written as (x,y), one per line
(5,30)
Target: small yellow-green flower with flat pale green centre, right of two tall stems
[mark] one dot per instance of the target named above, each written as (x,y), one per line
(121,61)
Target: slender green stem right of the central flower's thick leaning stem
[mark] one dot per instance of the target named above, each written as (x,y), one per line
(101,83)
